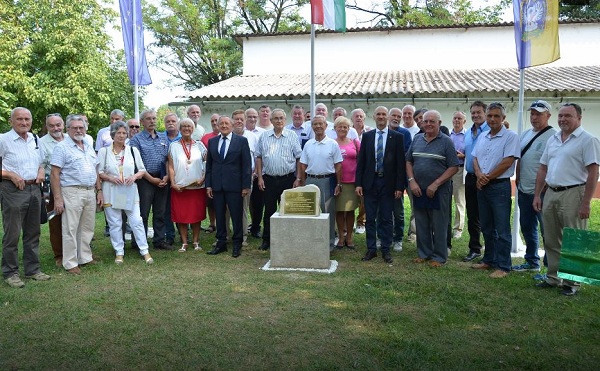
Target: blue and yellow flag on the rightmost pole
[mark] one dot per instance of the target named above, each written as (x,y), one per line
(536,32)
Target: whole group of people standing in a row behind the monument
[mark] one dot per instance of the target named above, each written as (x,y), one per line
(242,166)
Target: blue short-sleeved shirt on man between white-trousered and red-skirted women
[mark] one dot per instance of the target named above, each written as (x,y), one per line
(153,150)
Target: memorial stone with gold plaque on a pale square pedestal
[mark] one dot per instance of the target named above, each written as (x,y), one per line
(299,232)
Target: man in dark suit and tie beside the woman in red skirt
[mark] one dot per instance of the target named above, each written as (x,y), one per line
(228,176)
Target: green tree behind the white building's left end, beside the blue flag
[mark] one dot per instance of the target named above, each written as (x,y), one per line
(194,38)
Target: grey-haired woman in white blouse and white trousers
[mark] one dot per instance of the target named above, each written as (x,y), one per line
(119,166)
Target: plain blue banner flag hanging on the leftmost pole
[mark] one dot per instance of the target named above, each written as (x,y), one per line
(133,40)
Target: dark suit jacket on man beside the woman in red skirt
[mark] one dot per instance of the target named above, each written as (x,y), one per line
(232,174)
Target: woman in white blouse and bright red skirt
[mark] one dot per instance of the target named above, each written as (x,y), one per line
(188,193)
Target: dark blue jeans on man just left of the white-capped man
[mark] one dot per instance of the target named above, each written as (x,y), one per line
(494,215)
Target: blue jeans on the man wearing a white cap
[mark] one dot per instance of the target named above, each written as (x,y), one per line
(529,219)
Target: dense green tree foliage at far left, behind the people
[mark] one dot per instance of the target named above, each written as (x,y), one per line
(56,57)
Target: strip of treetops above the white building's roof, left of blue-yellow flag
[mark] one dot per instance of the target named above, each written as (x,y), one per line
(428,12)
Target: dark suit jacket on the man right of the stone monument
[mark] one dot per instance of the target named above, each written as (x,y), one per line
(394,164)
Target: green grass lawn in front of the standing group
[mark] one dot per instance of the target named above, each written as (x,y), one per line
(195,311)
